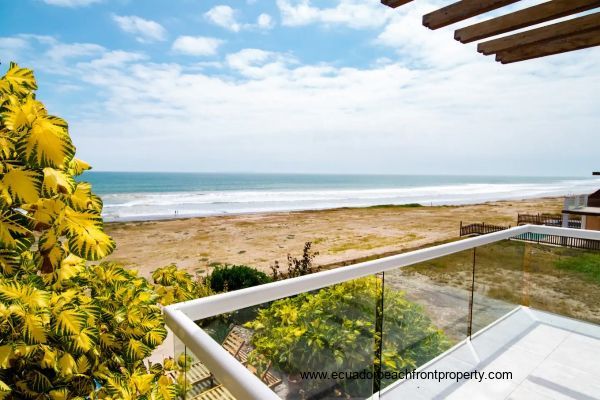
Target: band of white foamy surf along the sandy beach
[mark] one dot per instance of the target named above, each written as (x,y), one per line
(133,206)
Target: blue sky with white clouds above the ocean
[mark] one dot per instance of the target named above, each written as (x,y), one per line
(332,86)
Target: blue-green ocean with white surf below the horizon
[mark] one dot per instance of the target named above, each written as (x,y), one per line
(150,195)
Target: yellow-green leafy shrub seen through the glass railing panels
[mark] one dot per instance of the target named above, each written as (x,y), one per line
(334,330)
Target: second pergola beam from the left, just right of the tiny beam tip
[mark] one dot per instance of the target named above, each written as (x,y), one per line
(460,11)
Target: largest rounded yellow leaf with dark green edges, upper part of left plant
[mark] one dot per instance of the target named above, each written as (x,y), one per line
(47,143)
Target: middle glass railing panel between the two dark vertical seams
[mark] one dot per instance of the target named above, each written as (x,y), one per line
(426,312)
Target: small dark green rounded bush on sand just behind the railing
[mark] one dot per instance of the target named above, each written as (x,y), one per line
(233,277)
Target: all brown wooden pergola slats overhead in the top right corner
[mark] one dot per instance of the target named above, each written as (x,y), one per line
(580,32)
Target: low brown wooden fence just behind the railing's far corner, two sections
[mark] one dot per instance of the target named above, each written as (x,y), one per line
(483,228)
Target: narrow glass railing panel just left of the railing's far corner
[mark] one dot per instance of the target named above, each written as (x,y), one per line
(499,282)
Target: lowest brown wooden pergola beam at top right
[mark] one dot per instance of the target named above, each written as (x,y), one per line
(569,43)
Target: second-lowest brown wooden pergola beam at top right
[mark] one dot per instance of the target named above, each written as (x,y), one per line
(550,32)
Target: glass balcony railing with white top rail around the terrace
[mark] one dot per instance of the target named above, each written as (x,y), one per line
(359,331)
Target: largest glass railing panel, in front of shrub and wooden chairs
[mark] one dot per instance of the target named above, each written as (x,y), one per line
(316,345)
